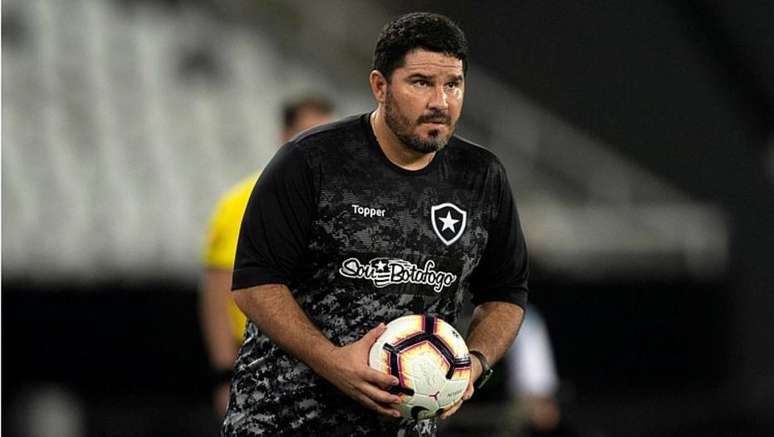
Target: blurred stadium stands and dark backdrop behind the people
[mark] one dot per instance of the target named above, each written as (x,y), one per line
(637,137)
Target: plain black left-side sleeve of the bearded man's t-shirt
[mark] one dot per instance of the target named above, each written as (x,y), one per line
(275,227)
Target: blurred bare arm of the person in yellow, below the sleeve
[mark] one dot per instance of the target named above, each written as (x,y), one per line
(216,328)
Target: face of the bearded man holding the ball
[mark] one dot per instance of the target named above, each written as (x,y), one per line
(424,100)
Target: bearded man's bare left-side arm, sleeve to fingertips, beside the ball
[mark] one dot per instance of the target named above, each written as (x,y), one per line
(278,315)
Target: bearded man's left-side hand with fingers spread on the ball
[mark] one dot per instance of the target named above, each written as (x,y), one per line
(348,370)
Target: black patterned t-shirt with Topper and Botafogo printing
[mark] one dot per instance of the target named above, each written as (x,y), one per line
(359,241)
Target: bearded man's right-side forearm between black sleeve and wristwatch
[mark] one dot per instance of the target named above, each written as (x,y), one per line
(493,328)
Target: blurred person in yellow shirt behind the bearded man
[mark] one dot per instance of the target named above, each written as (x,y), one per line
(223,324)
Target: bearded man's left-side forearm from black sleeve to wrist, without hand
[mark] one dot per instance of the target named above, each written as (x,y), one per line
(278,315)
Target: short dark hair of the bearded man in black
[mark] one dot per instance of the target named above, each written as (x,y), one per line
(418,30)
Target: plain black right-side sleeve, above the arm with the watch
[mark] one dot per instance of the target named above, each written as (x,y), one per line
(503,271)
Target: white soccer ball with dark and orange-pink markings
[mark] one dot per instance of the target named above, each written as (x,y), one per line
(429,358)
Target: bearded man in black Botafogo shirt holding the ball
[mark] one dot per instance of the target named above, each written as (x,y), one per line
(393,187)
